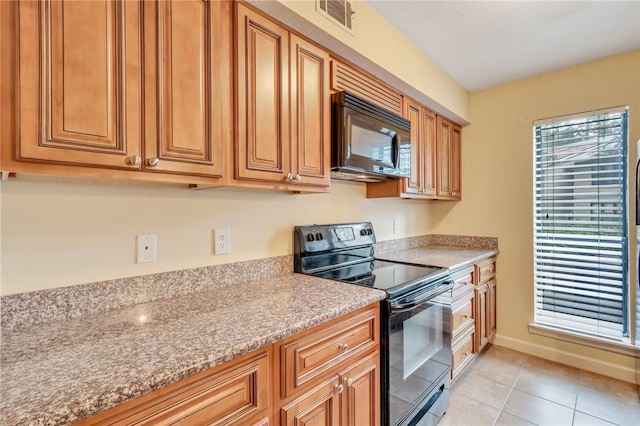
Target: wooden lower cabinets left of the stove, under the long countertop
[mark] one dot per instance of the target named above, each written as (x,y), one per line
(344,388)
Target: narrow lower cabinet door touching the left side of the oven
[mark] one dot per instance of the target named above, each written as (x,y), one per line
(361,397)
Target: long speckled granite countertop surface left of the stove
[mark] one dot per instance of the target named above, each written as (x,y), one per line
(61,371)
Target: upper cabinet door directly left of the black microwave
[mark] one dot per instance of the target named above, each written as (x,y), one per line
(310,114)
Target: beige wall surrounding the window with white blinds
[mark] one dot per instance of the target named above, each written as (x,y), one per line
(497,179)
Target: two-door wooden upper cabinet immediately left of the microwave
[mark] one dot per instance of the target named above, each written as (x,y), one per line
(283,111)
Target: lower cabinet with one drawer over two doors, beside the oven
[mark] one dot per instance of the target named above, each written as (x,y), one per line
(330,375)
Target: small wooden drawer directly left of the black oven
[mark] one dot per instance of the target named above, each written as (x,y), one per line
(325,347)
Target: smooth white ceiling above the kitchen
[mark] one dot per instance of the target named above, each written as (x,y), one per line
(486,43)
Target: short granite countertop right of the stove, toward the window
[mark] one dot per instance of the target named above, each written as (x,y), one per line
(439,255)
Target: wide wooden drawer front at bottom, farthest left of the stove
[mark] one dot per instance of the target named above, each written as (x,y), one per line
(227,394)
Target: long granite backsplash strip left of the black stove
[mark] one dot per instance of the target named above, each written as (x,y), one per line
(37,307)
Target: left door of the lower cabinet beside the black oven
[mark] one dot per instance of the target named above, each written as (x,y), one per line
(318,407)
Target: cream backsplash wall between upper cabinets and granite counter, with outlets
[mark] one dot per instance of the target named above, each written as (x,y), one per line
(59,234)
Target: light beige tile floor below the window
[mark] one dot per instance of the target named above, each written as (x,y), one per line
(505,387)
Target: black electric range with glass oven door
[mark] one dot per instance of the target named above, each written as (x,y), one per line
(416,328)
